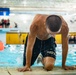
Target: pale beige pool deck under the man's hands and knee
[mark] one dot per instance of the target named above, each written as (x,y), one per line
(36,71)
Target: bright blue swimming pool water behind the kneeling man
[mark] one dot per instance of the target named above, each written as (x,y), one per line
(12,56)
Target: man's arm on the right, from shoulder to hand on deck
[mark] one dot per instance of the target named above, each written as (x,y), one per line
(65,31)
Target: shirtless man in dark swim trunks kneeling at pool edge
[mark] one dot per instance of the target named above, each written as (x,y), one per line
(41,39)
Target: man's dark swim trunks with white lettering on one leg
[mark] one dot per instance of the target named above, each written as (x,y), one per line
(45,47)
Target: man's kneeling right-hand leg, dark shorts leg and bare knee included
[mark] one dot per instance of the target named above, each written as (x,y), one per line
(49,53)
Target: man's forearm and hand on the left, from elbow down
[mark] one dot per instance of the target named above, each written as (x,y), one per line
(29,49)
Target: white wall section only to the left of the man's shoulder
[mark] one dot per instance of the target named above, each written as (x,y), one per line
(23,21)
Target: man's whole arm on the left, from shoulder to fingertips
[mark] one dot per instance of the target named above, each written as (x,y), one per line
(29,48)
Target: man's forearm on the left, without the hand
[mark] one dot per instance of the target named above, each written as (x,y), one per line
(29,48)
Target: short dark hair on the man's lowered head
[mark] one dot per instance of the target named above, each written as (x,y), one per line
(53,22)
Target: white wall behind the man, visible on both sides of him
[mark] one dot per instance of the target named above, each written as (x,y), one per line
(24,21)
